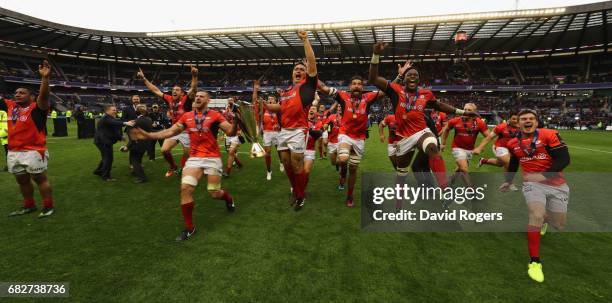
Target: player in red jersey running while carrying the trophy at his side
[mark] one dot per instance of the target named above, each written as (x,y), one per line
(202,126)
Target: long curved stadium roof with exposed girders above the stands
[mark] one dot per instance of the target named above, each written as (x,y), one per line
(534,32)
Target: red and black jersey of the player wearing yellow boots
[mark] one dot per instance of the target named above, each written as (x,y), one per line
(533,152)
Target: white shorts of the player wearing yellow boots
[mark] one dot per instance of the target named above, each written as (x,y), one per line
(554,197)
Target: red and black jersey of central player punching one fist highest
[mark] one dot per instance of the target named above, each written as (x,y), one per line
(295,103)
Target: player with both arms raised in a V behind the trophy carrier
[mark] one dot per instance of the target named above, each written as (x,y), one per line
(178,103)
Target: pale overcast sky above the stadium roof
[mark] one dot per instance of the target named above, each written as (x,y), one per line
(151,16)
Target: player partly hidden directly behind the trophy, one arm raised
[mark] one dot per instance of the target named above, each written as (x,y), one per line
(271,127)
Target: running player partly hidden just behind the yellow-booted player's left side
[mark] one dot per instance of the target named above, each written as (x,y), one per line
(504,132)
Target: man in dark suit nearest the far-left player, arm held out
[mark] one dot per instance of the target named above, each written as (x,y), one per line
(107,134)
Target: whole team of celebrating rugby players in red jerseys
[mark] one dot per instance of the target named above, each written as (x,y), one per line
(294,122)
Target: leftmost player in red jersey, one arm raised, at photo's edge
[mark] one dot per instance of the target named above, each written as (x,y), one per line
(27,155)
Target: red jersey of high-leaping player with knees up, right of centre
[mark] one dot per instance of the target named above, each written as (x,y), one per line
(409,108)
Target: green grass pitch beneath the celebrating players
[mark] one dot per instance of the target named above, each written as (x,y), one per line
(114,242)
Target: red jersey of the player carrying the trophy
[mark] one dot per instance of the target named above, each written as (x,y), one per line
(203,129)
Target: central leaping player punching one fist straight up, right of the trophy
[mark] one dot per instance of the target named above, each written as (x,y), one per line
(293,107)
